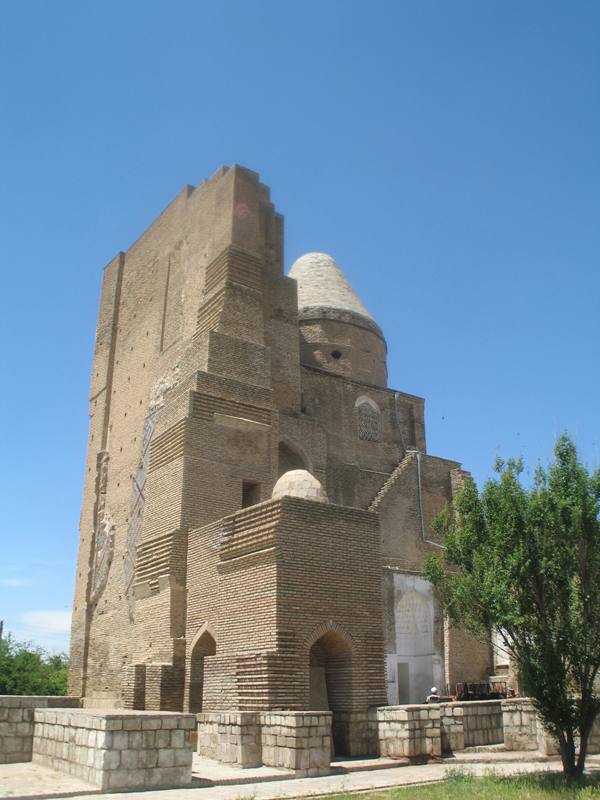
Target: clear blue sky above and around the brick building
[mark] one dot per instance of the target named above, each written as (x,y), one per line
(445,153)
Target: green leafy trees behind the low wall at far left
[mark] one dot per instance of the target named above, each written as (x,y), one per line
(30,670)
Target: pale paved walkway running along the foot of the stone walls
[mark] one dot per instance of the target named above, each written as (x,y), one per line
(216,782)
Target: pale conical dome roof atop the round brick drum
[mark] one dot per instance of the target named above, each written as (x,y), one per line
(322,284)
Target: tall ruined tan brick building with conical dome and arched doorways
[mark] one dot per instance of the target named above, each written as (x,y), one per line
(257,502)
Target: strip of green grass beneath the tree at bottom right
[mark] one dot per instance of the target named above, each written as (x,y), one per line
(459,785)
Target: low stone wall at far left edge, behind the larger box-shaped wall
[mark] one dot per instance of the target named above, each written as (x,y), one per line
(16,723)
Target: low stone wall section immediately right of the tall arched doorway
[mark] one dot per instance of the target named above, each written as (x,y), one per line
(412,731)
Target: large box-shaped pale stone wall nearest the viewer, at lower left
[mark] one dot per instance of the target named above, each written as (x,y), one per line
(116,749)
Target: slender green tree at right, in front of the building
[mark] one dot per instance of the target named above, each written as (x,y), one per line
(525,563)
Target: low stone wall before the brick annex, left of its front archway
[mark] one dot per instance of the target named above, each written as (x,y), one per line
(296,740)
